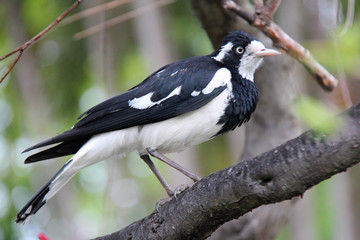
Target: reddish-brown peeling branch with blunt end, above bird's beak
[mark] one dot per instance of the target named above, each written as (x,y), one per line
(262,21)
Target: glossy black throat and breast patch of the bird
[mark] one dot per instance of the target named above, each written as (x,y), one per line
(240,106)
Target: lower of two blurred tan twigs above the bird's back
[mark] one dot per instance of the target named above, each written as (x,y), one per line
(121,18)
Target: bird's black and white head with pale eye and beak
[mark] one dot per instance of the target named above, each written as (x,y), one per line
(243,53)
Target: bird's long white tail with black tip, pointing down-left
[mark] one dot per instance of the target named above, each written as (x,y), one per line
(47,192)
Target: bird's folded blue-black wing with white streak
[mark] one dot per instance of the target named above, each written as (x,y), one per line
(192,75)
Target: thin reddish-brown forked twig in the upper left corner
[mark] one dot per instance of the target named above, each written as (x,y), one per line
(23,47)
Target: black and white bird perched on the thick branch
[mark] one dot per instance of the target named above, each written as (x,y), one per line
(182,104)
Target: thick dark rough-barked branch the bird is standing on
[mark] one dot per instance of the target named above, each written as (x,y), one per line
(279,174)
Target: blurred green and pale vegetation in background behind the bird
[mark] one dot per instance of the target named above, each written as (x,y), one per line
(61,76)
